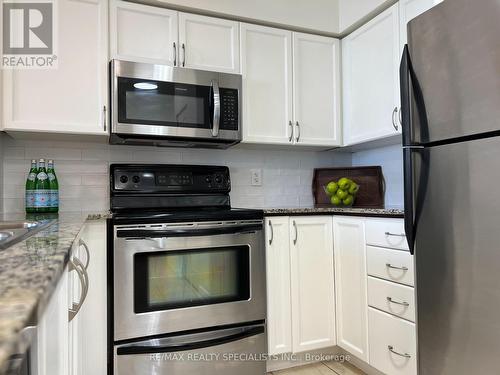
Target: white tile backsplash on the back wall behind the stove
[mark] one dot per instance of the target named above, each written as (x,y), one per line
(82,171)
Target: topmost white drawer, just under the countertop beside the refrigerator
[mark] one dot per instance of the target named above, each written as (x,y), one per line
(386,233)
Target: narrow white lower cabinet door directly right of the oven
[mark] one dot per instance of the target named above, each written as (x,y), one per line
(279,307)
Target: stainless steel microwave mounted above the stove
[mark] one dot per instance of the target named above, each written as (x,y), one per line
(169,106)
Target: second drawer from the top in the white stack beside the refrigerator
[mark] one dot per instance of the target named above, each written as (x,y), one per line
(392,265)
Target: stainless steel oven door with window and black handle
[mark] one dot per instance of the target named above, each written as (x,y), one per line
(177,277)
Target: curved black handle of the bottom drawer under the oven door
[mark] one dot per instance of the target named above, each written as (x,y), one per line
(180,344)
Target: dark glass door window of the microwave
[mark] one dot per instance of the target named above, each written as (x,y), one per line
(163,103)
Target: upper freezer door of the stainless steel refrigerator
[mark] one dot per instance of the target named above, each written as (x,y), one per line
(455,61)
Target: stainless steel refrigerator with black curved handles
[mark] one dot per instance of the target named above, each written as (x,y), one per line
(450,91)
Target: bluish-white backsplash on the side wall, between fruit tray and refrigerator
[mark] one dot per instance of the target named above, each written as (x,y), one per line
(391,160)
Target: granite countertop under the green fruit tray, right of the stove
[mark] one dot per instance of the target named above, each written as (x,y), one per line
(367,212)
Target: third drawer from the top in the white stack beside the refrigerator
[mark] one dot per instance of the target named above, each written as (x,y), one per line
(393,298)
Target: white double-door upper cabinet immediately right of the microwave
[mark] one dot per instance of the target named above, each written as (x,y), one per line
(286,100)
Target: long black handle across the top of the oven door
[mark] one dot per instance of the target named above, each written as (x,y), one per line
(155,233)
